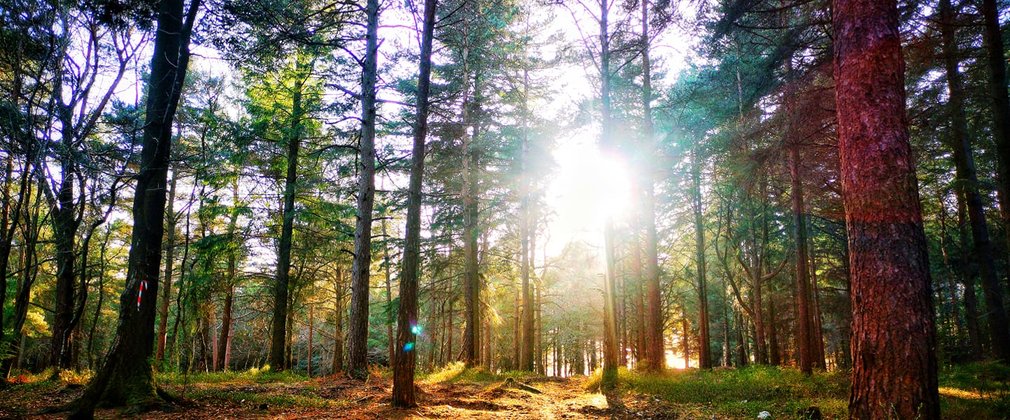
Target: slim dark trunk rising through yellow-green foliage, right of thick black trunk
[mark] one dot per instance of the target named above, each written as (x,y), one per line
(282,283)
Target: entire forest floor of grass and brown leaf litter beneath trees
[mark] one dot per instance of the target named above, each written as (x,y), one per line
(980,391)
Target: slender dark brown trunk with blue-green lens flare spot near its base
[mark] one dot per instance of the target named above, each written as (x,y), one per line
(407,355)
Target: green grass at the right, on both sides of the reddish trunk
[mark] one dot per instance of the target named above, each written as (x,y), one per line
(978,391)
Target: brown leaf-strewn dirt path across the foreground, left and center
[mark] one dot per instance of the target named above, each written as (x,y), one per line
(342,398)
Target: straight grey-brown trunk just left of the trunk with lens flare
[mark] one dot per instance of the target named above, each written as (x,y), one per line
(358,338)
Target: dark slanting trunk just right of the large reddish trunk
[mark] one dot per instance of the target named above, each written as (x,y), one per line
(968,186)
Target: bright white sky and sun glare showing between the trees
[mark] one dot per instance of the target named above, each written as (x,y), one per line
(587,185)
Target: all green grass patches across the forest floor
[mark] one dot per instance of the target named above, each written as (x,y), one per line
(975,391)
